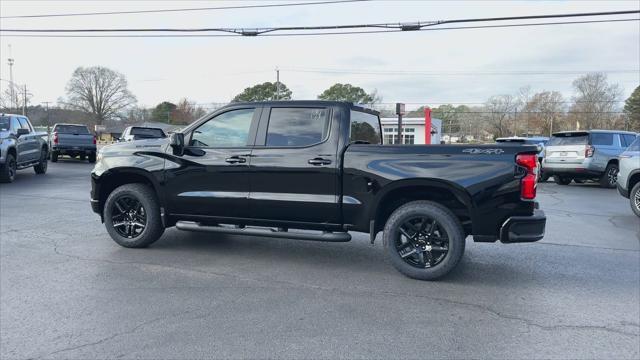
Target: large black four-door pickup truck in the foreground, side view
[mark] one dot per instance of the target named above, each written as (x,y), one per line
(265,168)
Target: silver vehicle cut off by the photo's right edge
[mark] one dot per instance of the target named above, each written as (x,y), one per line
(629,175)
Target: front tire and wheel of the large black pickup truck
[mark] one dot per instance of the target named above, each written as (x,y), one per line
(132,216)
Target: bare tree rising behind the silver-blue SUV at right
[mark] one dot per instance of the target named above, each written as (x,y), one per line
(595,101)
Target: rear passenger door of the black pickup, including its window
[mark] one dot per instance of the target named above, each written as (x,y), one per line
(294,165)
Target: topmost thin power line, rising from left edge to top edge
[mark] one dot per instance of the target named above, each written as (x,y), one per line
(181,9)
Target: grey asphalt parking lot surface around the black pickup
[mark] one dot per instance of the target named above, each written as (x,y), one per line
(68,291)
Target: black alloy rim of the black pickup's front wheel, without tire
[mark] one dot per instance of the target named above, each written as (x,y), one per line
(129,218)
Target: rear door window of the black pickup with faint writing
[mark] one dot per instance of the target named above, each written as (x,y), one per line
(297,126)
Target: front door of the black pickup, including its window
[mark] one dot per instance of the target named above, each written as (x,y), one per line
(212,178)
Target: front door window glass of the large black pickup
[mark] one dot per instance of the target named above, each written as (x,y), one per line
(230,129)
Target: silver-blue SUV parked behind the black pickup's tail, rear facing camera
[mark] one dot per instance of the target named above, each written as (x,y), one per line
(585,155)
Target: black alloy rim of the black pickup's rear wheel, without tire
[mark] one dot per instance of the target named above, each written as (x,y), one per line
(422,242)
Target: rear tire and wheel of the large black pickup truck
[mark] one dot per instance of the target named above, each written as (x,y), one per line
(424,240)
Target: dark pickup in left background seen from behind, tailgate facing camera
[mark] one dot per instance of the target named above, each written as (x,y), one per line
(73,140)
